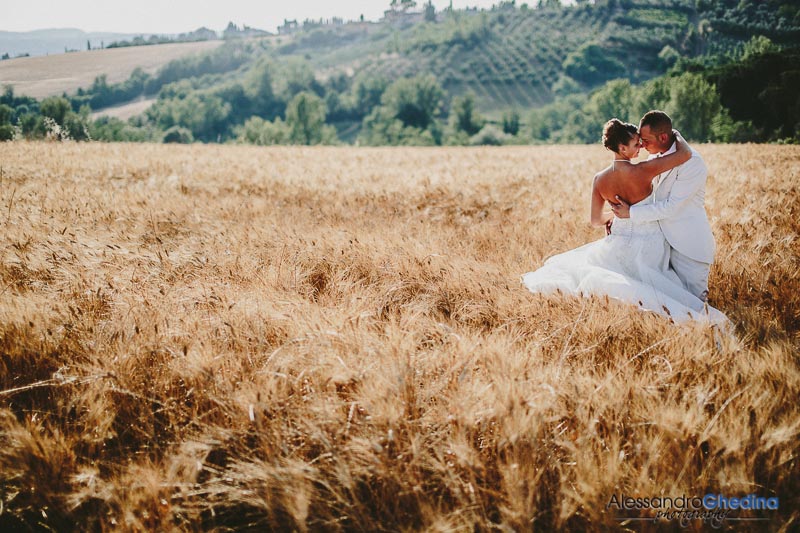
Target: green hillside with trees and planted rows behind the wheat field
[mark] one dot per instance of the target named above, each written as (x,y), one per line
(513,73)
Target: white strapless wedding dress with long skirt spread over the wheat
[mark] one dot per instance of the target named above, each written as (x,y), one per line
(632,265)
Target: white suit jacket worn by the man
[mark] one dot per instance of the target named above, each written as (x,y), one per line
(679,207)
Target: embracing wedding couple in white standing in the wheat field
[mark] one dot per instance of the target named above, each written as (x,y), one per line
(659,247)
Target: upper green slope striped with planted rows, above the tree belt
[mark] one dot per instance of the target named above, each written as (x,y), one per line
(515,56)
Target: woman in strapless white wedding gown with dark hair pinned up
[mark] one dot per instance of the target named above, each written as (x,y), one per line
(631,263)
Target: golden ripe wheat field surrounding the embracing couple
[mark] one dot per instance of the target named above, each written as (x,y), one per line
(307,338)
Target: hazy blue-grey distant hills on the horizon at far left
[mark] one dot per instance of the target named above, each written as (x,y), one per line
(54,41)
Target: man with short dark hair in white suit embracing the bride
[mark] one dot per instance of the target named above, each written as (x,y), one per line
(678,206)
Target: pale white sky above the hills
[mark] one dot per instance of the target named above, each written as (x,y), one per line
(179,16)
